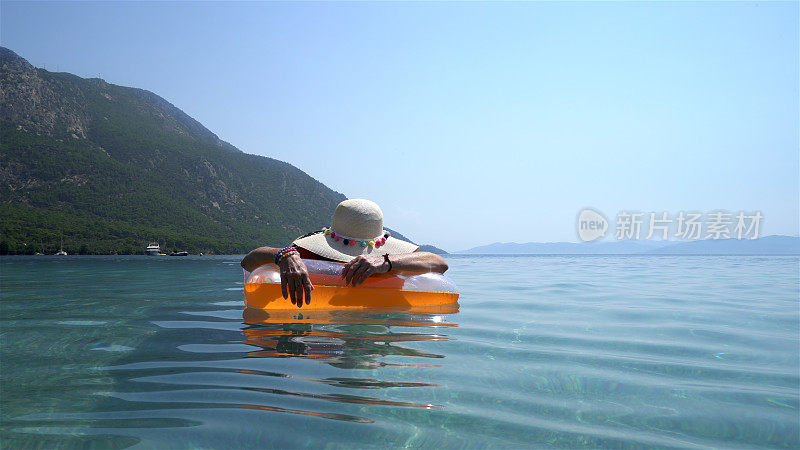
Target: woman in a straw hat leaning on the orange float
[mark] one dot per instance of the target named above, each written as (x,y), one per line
(356,237)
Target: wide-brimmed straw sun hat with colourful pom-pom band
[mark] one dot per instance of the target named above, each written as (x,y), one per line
(357,229)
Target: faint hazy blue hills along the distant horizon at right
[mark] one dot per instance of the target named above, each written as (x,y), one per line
(768,245)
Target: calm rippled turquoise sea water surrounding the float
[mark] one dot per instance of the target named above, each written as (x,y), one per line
(555,351)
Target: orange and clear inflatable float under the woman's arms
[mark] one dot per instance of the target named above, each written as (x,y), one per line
(262,289)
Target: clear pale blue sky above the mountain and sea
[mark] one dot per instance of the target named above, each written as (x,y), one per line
(471,123)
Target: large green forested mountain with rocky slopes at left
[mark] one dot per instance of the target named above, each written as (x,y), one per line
(107,169)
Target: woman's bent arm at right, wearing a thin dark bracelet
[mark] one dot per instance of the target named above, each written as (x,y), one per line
(361,267)
